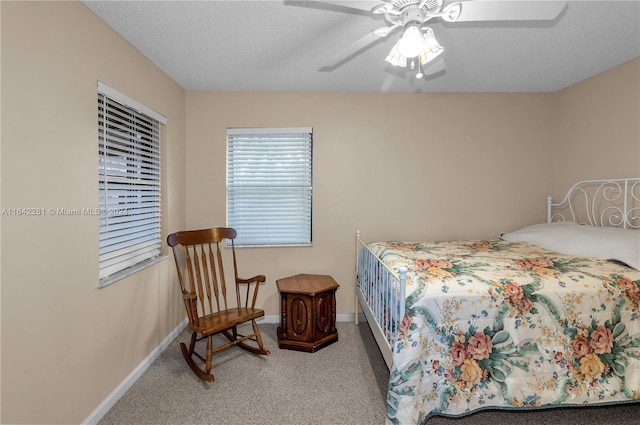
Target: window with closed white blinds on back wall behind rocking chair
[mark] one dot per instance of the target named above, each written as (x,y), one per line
(269,185)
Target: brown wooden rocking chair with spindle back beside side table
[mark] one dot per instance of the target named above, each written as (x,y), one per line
(199,262)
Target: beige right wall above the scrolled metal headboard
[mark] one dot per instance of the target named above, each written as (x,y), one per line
(597,128)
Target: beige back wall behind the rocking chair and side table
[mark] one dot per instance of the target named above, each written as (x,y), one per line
(407,166)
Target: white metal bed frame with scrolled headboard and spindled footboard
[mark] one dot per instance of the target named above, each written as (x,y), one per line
(381,293)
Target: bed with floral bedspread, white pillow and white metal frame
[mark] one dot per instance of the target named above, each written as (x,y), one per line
(544,316)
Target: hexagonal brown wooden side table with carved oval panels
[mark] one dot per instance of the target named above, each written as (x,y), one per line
(308,312)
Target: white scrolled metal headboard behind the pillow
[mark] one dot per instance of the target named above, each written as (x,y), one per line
(604,203)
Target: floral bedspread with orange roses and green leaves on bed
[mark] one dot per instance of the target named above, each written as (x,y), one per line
(500,324)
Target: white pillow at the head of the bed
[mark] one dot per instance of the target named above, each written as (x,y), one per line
(568,237)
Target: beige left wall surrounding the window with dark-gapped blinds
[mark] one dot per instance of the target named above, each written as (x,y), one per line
(66,345)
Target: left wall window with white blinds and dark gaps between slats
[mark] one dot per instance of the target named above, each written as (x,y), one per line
(129,184)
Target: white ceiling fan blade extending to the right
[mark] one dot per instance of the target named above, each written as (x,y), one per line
(501,10)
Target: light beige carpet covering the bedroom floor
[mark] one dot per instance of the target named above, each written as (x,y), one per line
(343,383)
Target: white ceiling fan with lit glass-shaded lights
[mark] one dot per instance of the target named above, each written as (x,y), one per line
(418,46)
